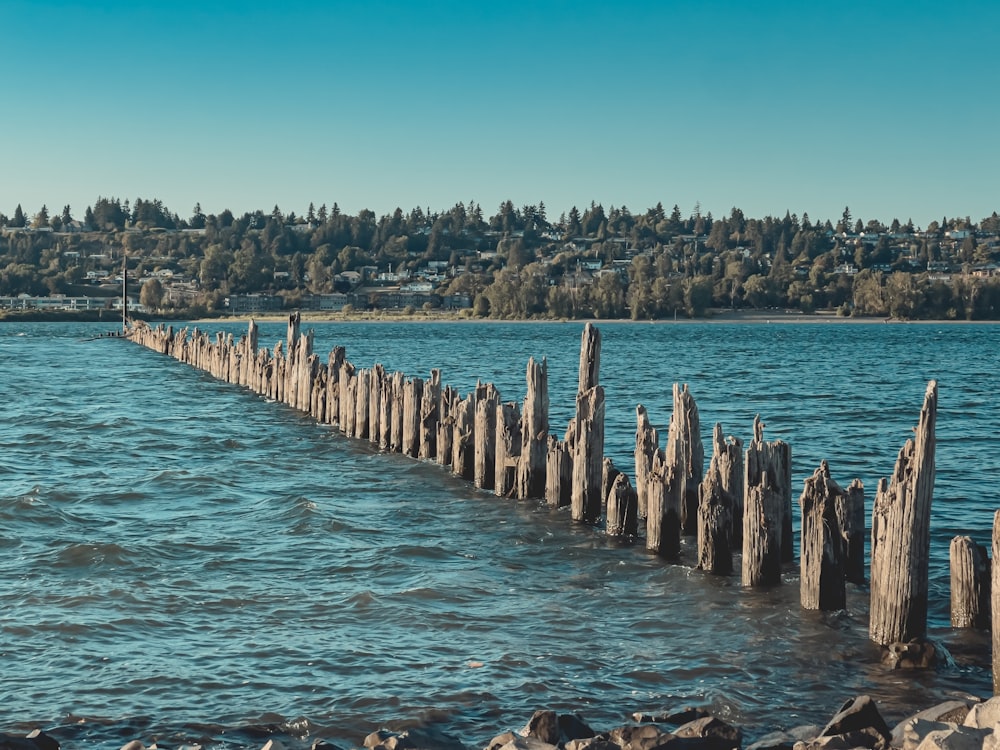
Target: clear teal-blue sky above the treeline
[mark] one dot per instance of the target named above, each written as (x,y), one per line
(890,108)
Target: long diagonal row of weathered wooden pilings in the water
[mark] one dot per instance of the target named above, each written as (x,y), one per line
(743,501)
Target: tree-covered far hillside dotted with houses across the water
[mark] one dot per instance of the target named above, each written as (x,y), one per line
(518,263)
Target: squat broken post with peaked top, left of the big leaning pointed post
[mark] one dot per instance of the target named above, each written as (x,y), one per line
(823,581)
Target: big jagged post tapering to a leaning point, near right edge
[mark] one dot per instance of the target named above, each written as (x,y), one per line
(901,536)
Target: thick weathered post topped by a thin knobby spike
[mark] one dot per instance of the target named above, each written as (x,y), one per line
(767,485)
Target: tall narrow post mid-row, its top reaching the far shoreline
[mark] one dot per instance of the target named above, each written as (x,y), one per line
(588,442)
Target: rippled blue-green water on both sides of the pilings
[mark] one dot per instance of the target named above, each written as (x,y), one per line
(182,561)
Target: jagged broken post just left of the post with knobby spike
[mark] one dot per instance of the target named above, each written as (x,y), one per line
(715,508)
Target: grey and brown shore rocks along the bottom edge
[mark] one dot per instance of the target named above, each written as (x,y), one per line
(961,724)
